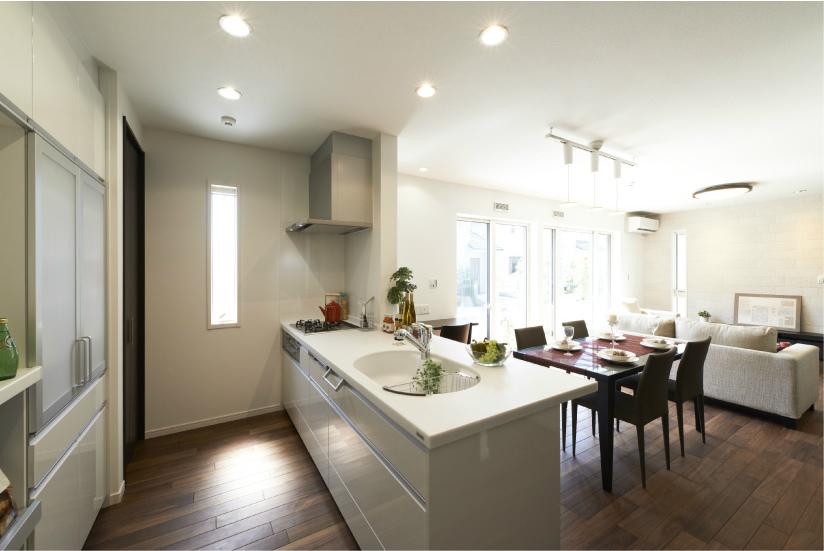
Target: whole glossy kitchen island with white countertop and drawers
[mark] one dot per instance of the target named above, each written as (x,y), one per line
(478,468)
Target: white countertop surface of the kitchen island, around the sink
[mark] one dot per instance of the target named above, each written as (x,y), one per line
(504,393)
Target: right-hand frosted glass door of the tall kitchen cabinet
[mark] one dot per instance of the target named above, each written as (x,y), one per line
(92,276)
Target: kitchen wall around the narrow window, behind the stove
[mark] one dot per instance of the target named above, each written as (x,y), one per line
(195,376)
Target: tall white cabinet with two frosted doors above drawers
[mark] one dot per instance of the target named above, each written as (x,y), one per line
(66,256)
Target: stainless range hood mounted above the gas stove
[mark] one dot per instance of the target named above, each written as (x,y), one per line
(340,187)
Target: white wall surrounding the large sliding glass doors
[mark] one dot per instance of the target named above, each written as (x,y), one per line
(427,212)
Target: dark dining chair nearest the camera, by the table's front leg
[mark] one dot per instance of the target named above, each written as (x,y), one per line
(648,403)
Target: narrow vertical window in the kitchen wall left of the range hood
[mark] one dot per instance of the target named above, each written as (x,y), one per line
(223,256)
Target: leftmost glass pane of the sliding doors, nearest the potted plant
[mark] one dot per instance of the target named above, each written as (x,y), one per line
(473,275)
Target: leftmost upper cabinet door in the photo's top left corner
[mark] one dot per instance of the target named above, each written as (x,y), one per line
(16,61)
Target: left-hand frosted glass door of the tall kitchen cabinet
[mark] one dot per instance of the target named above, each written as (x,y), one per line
(54,222)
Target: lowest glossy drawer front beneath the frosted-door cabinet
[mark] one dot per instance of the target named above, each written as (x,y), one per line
(73,492)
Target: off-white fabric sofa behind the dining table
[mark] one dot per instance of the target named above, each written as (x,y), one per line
(742,365)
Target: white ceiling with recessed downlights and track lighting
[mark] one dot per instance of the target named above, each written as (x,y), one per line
(698,93)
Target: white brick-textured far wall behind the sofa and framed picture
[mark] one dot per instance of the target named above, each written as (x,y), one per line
(775,247)
